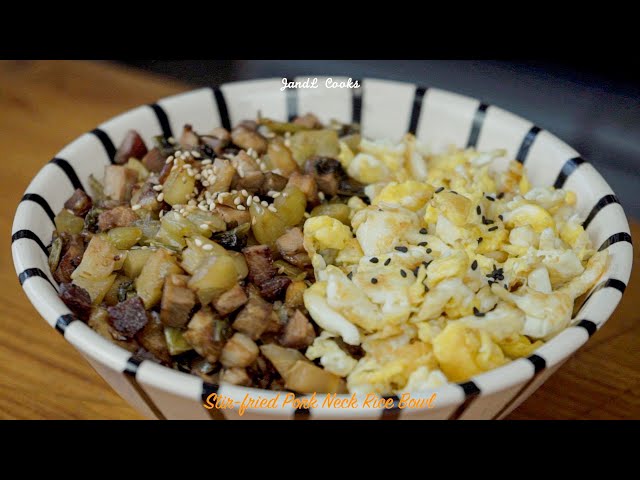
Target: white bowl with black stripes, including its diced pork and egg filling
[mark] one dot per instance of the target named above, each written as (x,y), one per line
(386,242)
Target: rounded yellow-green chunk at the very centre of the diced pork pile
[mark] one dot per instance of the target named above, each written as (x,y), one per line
(213,277)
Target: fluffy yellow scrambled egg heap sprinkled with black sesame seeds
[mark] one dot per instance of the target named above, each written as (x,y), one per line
(452,269)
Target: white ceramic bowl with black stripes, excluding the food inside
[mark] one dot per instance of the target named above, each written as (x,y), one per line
(385,109)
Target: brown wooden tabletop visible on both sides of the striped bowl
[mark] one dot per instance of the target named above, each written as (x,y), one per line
(45,105)
